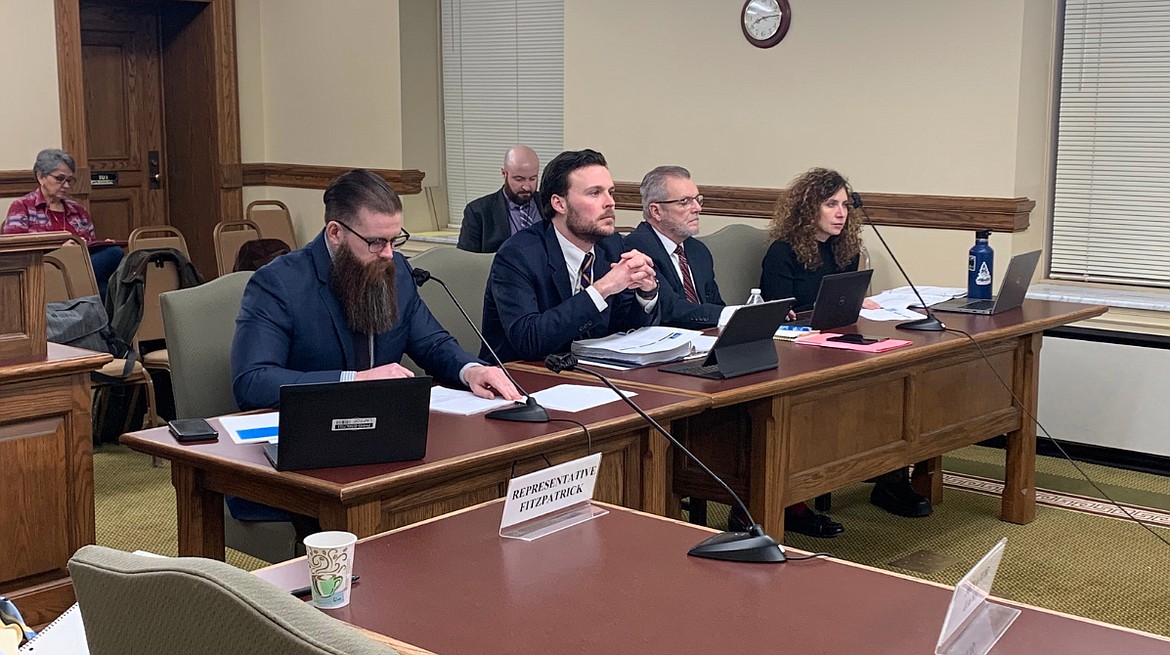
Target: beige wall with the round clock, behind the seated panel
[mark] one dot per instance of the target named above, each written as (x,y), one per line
(903,96)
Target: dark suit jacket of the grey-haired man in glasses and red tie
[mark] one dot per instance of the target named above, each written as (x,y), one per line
(675,308)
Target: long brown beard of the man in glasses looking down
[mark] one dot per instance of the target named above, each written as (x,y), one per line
(368,293)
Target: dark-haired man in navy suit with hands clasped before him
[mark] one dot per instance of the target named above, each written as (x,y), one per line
(568,278)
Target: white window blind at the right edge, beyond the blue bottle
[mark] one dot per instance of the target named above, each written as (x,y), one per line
(1112,205)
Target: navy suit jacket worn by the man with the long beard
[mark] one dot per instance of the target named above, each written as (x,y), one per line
(292,329)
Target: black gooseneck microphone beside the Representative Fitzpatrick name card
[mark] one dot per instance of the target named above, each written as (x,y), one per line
(753,546)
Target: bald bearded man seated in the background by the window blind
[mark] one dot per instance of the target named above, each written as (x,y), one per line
(491,220)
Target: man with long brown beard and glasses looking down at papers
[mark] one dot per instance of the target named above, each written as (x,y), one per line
(347,308)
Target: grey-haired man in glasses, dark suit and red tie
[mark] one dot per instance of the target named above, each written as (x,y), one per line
(689,294)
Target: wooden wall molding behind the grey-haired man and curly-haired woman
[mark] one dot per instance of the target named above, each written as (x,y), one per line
(903,210)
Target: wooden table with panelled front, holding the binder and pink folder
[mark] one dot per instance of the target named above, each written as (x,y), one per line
(828,418)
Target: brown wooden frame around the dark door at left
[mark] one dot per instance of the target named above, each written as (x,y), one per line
(228,174)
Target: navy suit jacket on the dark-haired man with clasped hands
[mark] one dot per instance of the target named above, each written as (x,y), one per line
(529,307)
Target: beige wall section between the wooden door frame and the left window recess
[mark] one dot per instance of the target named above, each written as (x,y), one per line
(320,84)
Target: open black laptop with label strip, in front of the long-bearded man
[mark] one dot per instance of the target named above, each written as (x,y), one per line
(347,424)
